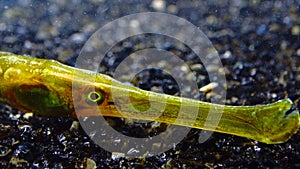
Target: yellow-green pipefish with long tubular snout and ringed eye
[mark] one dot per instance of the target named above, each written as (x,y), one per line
(44,87)
